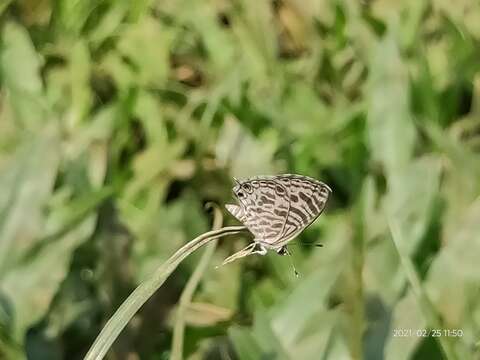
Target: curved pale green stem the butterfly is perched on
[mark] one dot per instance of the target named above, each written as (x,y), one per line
(145,290)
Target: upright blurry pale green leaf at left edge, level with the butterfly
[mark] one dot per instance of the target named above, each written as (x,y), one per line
(26,183)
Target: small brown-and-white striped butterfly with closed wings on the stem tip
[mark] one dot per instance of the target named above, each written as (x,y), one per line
(276,209)
